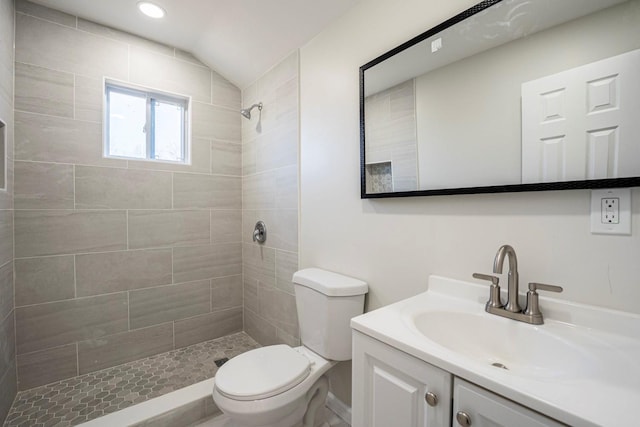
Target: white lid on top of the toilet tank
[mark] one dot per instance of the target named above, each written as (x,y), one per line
(329,283)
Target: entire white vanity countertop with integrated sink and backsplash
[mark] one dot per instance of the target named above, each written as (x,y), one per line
(580,367)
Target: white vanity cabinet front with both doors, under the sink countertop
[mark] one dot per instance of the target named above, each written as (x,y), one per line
(393,388)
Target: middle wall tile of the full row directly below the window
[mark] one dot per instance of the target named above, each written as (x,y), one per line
(110,188)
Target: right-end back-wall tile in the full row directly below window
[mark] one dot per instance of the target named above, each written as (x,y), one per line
(205,191)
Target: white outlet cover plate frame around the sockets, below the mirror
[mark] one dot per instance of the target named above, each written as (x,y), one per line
(623,227)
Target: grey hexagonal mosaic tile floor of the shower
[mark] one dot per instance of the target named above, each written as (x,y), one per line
(76,400)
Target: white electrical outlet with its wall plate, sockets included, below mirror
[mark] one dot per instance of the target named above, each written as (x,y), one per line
(611,211)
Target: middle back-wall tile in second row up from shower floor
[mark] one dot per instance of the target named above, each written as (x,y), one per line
(167,303)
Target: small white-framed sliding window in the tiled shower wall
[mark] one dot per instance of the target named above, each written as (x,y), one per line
(146,125)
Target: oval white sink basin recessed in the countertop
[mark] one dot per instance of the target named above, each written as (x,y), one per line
(505,344)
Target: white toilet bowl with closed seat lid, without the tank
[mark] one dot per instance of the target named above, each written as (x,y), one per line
(287,393)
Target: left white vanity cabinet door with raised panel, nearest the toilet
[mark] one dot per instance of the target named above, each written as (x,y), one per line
(390,388)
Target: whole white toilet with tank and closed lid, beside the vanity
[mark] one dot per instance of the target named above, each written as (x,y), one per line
(282,386)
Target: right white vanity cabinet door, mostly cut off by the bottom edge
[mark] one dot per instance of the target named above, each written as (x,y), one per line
(485,409)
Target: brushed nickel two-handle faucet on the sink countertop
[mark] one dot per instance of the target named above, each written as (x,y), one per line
(512,309)
